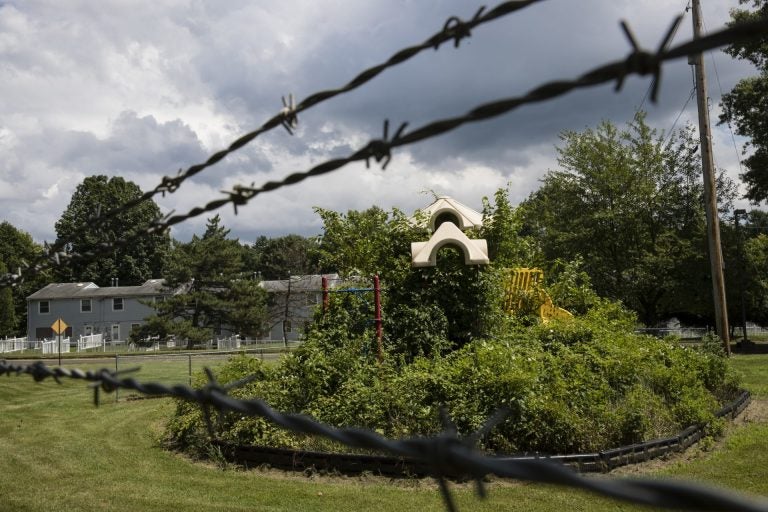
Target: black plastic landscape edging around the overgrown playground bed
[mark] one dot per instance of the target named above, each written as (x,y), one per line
(605,460)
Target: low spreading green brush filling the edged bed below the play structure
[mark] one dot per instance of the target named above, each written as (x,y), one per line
(575,386)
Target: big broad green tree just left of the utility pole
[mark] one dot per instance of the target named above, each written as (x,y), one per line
(630,204)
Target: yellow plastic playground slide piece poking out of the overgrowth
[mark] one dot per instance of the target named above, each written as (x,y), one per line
(524,288)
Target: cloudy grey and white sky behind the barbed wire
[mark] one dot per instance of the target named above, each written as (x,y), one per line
(141,89)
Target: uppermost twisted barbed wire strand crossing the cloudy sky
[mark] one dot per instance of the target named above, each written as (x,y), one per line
(454,29)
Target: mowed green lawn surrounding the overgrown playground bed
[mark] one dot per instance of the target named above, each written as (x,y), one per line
(59,452)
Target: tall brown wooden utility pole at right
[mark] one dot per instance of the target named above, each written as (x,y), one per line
(710,191)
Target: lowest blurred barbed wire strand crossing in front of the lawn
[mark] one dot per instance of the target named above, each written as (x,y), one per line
(446,453)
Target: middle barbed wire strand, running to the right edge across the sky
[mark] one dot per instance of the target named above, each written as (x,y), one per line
(638,62)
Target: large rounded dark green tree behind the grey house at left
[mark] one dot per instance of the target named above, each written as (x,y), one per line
(133,264)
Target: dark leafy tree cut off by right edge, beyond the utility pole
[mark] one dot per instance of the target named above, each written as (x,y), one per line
(746,105)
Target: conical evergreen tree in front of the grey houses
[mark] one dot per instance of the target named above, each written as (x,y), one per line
(217,290)
